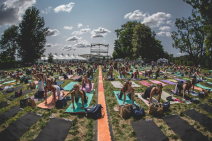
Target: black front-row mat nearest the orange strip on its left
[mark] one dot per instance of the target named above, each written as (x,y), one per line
(55,130)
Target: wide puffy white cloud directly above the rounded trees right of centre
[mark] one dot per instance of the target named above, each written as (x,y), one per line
(154,20)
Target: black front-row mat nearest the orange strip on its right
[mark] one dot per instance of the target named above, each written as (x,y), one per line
(148,131)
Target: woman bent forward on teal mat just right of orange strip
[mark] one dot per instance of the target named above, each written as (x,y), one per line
(127,90)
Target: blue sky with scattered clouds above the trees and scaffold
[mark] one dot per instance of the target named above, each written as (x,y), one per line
(75,24)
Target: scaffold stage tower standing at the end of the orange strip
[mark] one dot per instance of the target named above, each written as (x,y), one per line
(100,49)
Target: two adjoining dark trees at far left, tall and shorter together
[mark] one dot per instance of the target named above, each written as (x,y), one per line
(27,40)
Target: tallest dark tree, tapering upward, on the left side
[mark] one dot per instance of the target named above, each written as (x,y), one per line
(32,37)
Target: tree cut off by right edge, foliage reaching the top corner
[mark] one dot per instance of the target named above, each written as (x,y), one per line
(204,7)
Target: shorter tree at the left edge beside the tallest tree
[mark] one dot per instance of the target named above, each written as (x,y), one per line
(8,41)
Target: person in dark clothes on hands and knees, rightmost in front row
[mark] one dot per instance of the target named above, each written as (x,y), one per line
(180,86)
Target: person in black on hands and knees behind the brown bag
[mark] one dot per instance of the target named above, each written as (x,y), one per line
(150,91)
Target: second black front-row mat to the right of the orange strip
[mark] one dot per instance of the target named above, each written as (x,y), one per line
(183,129)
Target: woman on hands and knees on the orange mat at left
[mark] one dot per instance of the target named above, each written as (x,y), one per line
(54,89)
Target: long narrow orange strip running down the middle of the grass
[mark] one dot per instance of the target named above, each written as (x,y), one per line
(103,133)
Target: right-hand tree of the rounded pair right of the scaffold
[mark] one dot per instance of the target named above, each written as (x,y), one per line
(145,44)
